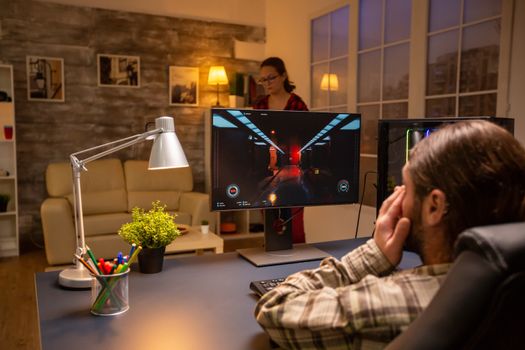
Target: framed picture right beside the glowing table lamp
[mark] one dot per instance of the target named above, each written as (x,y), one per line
(184,86)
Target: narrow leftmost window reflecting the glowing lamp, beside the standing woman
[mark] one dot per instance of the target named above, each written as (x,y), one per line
(329,61)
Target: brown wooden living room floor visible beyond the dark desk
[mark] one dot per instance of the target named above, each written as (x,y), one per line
(19,318)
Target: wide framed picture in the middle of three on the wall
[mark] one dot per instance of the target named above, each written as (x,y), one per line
(118,71)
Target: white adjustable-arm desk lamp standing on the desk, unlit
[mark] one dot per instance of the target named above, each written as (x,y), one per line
(166,153)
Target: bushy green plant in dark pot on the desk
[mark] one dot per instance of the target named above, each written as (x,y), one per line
(153,230)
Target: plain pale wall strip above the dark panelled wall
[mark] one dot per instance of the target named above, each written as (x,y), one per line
(229,11)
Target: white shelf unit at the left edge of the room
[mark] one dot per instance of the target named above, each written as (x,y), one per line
(8,175)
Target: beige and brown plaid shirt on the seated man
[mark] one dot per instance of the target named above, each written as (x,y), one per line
(355,303)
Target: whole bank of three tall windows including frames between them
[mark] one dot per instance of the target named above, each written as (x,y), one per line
(410,59)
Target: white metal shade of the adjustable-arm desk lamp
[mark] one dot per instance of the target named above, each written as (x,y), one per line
(167,151)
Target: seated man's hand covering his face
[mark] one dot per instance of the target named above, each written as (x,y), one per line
(392,229)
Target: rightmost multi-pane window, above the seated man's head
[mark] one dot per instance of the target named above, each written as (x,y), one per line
(463,57)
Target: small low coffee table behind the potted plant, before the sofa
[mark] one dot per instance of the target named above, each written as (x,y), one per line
(194,240)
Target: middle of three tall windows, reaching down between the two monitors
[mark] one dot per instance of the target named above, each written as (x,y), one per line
(383,73)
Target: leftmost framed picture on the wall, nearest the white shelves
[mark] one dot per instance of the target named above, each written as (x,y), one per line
(45,79)
